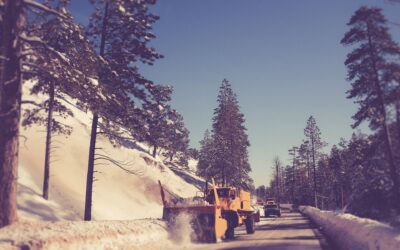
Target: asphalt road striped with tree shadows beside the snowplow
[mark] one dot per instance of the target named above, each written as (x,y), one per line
(292,231)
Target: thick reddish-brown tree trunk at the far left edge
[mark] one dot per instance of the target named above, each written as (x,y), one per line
(10,107)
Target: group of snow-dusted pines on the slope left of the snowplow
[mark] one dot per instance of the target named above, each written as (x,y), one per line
(94,68)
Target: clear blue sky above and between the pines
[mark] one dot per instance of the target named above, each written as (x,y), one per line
(283,58)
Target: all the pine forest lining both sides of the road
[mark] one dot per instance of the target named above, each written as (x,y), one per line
(95,67)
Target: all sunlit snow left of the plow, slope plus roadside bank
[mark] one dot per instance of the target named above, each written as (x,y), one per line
(126,207)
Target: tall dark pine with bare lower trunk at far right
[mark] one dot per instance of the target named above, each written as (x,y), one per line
(368,68)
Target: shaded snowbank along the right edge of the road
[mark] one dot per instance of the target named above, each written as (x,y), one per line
(352,232)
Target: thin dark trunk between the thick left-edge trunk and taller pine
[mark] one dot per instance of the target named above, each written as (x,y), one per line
(48,143)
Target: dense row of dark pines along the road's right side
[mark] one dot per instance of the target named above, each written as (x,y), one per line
(360,175)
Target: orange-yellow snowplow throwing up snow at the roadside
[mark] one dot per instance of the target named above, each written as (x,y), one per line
(215,214)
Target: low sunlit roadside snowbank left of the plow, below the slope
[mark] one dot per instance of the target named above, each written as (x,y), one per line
(138,234)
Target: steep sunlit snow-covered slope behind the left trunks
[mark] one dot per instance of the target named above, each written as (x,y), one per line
(117,194)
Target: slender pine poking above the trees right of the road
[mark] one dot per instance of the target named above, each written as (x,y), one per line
(313,136)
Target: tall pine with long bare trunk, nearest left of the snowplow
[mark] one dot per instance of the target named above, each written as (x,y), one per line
(120,31)
